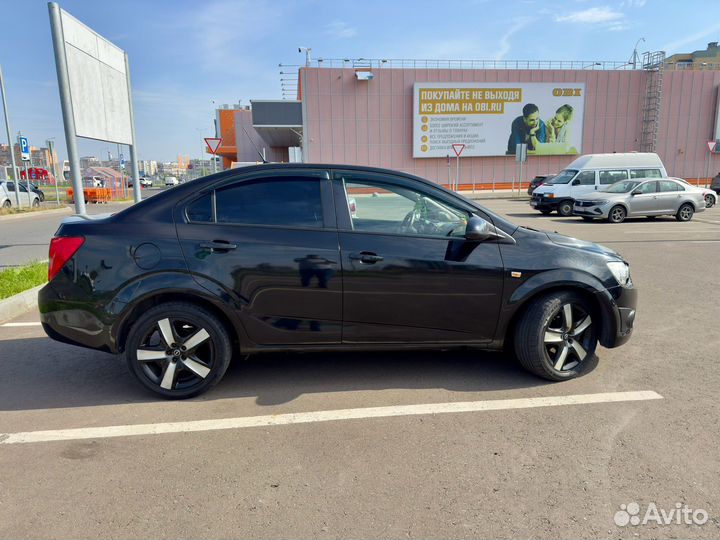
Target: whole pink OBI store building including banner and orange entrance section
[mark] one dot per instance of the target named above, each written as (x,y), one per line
(407,115)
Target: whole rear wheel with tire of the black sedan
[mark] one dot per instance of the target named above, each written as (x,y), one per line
(169,370)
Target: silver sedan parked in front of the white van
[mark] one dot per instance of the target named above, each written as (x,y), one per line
(641,197)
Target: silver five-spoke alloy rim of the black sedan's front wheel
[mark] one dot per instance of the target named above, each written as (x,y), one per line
(568,336)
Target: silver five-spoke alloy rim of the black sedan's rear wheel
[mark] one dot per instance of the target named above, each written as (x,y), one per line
(176,354)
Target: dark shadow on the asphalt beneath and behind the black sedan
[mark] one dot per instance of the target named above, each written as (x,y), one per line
(41,374)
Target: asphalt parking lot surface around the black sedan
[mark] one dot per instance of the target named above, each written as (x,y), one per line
(431,444)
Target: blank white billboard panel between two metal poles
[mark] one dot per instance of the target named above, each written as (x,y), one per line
(98,84)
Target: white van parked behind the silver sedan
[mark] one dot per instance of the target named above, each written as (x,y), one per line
(593,172)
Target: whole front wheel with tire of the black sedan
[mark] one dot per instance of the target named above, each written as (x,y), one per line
(549,347)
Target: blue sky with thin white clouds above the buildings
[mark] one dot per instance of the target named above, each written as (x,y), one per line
(186,54)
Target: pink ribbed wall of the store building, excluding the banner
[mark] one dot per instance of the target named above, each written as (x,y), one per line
(370,122)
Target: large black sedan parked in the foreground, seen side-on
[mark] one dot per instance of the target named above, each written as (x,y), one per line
(271,258)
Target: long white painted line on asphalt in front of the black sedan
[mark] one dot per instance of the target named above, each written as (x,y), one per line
(320,416)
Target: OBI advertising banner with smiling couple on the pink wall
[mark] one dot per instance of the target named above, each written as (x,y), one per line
(491,119)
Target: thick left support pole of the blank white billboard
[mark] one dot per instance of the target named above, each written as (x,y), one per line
(66,106)
